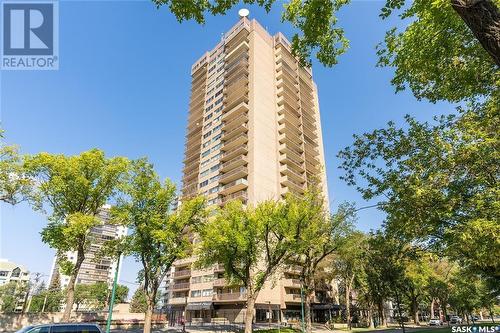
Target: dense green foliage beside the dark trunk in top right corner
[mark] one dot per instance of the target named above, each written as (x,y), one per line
(436,55)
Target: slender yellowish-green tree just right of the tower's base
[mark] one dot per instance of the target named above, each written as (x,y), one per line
(348,263)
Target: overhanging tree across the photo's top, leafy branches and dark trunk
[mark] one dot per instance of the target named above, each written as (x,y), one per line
(449,50)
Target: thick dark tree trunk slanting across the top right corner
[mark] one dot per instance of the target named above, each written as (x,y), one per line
(483,19)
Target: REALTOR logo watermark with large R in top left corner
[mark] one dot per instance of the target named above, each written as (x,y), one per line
(30,35)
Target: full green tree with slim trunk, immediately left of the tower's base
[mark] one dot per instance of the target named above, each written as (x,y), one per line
(158,235)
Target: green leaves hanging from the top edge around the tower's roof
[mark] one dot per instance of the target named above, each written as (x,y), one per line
(315,19)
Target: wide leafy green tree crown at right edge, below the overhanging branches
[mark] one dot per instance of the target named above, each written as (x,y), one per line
(437,183)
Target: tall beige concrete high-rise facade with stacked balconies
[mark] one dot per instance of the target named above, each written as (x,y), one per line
(253,134)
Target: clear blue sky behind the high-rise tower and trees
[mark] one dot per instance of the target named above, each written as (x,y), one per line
(123,86)
